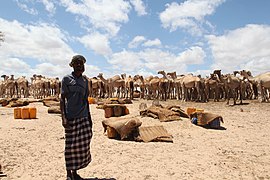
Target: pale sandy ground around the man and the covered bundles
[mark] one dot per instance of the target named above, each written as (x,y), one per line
(34,149)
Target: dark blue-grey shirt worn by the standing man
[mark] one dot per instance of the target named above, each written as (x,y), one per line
(76,92)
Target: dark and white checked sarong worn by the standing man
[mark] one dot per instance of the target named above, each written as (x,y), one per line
(77,145)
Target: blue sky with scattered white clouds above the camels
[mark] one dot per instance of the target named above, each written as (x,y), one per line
(134,36)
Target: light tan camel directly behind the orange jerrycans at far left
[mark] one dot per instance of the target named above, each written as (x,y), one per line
(22,87)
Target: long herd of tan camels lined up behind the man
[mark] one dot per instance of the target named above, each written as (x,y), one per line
(239,85)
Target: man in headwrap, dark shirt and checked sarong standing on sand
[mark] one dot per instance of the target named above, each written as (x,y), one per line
(76,118)
